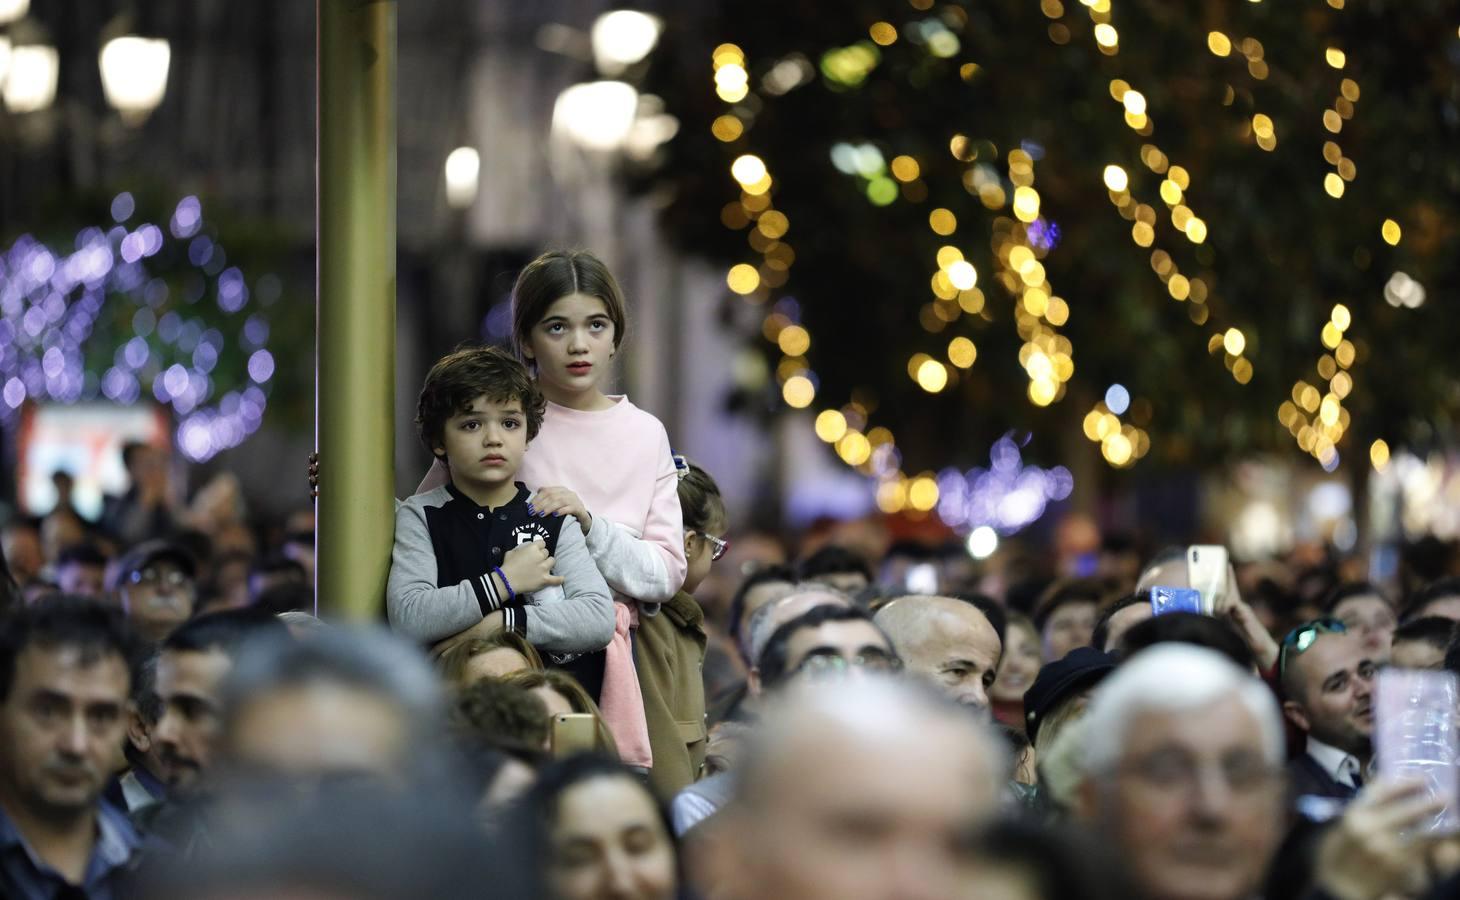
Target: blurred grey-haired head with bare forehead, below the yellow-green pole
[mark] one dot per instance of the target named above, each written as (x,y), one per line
(347,702)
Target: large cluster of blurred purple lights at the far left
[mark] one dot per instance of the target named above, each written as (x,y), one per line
(142,287)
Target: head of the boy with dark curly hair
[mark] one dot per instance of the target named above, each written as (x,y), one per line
(477,413)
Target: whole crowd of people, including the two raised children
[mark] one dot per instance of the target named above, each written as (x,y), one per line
(583,692)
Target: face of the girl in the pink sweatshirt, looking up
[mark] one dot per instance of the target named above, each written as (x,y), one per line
(573,346)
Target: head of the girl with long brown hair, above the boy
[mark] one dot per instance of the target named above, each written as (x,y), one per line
(569,322)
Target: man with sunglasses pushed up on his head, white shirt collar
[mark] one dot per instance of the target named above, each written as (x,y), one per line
(1328,680)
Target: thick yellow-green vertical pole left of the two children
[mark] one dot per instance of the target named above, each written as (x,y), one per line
(357,305)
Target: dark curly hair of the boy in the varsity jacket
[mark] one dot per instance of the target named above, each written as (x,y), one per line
(466,375)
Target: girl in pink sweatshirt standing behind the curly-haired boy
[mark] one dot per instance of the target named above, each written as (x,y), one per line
(605,462)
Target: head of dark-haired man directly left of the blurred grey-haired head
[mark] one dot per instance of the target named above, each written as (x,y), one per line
(192,666)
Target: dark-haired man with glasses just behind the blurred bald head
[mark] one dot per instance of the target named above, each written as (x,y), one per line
(824,644)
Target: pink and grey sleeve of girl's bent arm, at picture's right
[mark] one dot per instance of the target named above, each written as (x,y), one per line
(652,566)
